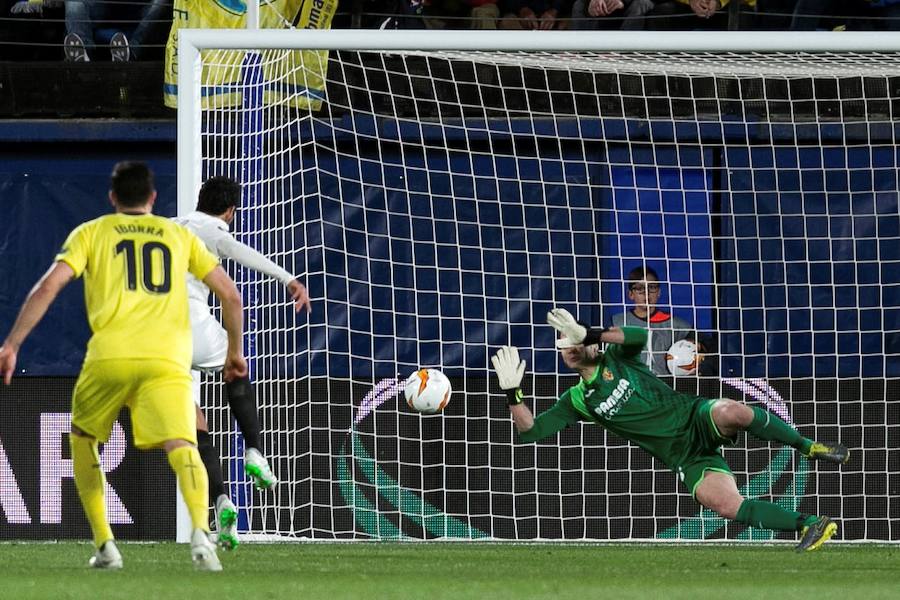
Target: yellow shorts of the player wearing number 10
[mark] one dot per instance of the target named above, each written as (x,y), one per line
(157,392)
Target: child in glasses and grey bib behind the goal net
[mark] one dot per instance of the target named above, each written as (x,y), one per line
(664,329)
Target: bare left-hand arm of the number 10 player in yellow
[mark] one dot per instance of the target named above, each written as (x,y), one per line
(33,310)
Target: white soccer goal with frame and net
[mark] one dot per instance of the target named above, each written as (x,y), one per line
(440,191)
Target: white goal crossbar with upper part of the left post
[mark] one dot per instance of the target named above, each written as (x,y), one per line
(192,41)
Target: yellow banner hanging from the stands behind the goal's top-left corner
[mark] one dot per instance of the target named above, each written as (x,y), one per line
(297,77)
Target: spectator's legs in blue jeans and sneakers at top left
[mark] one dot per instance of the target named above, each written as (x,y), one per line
(83,16)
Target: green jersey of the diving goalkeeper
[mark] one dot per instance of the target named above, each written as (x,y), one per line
(625,397)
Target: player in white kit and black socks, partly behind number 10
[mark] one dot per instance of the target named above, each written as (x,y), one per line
(218,200)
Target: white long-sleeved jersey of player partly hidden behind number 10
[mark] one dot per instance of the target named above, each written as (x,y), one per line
(214,233)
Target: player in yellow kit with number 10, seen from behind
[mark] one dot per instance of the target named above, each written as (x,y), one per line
(135,268)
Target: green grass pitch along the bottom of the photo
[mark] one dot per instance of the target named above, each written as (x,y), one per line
(457,570)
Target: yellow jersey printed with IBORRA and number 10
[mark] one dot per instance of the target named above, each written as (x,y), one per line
(135,284)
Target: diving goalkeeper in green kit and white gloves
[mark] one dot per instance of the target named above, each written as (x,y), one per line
(684,431)
